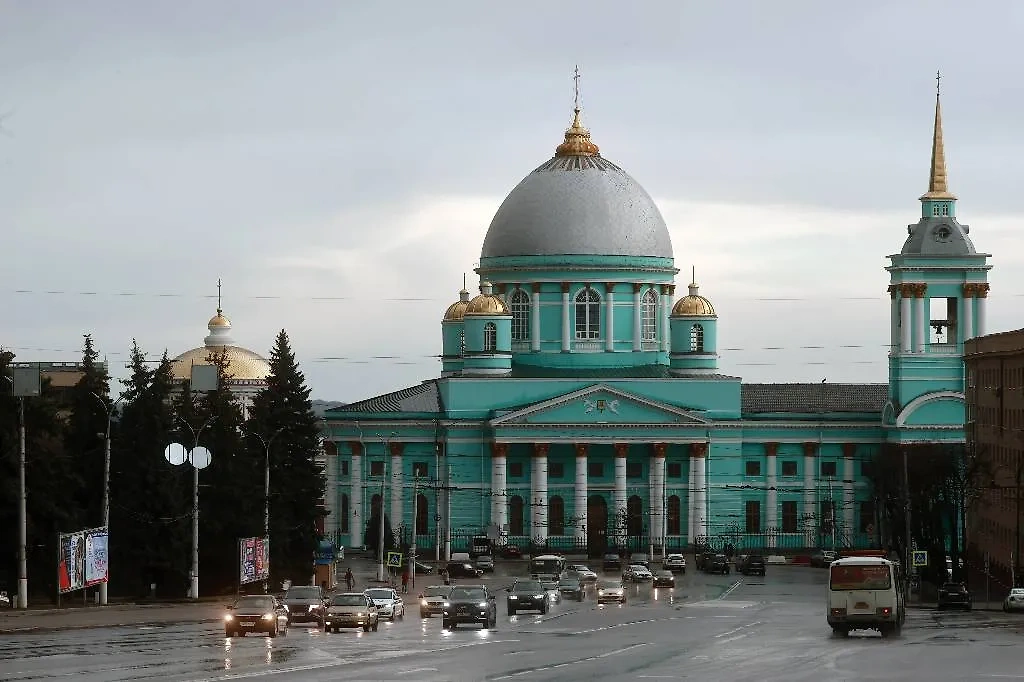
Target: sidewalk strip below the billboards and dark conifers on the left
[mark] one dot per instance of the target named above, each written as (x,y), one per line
(49,620)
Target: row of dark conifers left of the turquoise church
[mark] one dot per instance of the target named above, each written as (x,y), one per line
(151,499)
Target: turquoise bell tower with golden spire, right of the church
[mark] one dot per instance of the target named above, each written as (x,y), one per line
(938,290)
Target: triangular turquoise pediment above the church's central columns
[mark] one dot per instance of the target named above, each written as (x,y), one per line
(600,405)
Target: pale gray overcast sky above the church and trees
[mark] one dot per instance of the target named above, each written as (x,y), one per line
(338,163)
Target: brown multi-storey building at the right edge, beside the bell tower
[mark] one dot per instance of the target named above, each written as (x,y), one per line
(996,434)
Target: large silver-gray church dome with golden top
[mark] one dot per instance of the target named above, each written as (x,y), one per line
(578,203)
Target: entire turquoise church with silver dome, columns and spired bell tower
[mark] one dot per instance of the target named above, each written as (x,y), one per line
(581,405)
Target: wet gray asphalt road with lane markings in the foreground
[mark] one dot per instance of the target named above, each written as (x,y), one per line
(709,628)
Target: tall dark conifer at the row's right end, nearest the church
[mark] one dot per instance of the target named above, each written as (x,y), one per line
(282,417)
